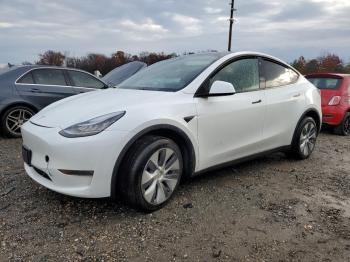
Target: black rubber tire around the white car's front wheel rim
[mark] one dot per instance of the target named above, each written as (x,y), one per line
(136,166)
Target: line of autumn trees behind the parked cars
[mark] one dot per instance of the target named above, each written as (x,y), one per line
(330,63)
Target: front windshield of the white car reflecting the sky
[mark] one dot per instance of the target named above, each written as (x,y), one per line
(170,75)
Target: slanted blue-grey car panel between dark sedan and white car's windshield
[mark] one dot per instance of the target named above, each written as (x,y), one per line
(119,74)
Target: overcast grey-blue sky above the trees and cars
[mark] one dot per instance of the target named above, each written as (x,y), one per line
(283,28)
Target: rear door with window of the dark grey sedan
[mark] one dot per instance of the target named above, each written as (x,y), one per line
(44,86)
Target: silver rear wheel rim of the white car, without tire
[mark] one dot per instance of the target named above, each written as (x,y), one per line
(308,138)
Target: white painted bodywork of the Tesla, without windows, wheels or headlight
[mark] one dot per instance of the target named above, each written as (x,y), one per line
(223,129)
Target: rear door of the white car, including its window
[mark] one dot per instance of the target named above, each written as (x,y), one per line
(285,102)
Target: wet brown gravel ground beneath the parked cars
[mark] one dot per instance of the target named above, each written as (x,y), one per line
(270,209)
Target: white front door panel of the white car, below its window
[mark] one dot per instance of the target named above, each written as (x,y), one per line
(229,127)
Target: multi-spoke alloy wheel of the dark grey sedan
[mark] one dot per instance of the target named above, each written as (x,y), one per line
(16,118)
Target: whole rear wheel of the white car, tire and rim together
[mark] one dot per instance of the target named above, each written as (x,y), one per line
(304,139)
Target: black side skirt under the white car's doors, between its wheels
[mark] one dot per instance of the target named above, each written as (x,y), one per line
(241,160)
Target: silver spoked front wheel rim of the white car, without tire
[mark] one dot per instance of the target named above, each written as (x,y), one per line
(160,176)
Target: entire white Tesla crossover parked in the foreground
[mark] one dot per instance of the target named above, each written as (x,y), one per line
(172,120)
